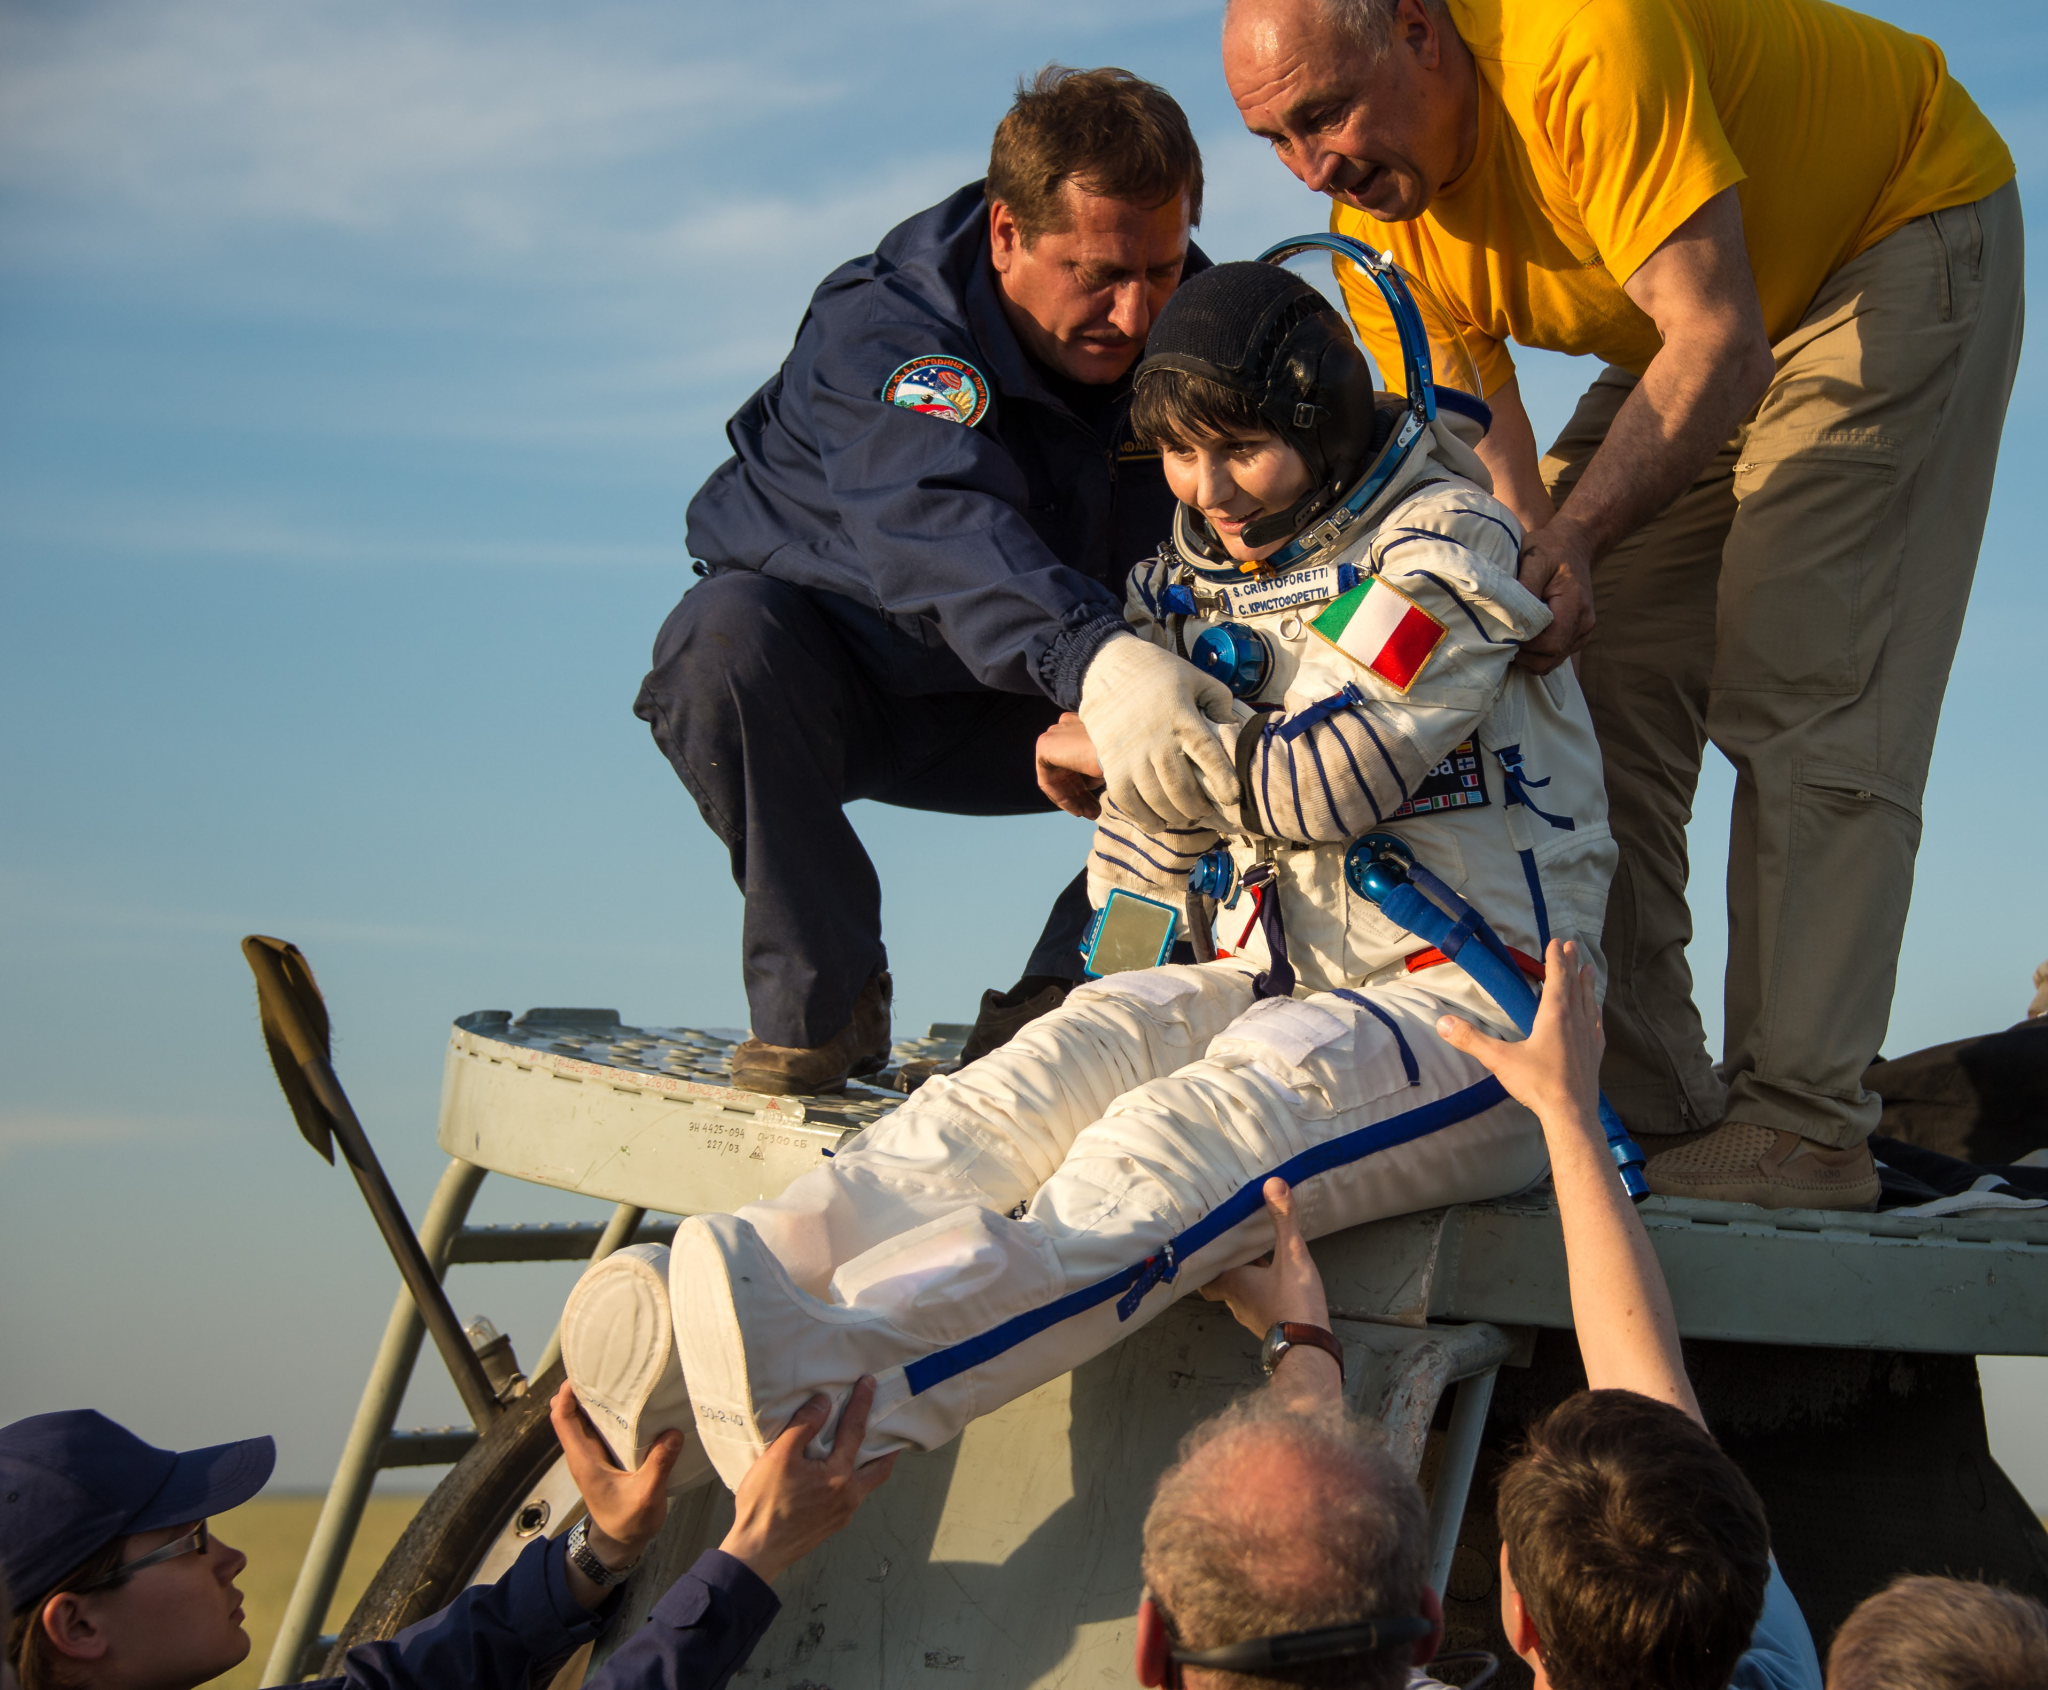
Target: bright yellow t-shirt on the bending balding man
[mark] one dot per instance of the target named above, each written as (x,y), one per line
(1607,124)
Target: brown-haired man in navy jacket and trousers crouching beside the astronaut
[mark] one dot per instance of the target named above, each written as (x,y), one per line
(919,552)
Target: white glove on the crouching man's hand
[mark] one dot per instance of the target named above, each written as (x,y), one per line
(1154,722)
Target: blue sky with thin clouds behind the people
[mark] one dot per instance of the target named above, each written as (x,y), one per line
(357,364)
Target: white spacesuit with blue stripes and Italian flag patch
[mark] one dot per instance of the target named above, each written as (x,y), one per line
(1025,1214)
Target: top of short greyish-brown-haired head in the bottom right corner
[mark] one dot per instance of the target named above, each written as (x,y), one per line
(1924,1634)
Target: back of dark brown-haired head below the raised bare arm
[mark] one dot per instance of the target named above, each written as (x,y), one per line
(1641,1552)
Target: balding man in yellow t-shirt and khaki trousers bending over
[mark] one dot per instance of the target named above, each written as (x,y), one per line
(1797,247)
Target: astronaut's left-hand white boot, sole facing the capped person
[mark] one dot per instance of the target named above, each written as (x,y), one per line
(617,1347)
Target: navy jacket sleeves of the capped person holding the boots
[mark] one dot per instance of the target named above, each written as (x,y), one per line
(515,1634)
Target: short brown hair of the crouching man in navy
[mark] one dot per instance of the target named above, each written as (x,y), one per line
(1107,132)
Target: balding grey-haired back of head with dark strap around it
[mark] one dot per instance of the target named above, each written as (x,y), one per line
(1279,1521)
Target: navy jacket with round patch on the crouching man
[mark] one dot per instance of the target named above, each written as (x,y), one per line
(959,556)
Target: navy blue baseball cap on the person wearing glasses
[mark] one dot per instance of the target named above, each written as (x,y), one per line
(73,1482)
